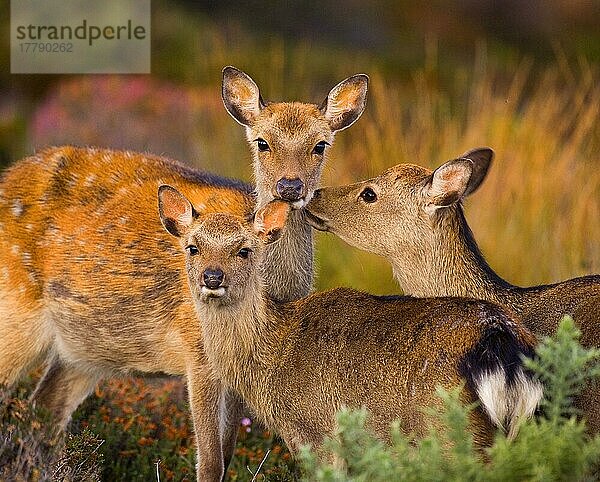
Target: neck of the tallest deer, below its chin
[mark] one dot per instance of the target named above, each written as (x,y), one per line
(288,266)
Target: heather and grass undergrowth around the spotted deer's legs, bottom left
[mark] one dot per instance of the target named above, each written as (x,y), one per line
(129,429)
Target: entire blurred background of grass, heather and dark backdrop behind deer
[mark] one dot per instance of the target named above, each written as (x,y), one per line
(521,77)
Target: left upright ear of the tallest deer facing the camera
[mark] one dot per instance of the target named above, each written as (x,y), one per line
(241,96)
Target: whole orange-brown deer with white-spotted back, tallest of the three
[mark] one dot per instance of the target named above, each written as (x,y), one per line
(91,284)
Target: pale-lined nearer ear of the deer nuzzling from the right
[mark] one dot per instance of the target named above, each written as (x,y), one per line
(447,184)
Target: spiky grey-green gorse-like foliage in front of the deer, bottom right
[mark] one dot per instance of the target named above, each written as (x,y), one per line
(551,447)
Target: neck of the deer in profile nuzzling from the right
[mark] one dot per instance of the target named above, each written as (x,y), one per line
(450,264)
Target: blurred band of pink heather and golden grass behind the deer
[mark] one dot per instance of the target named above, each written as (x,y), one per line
(536,217)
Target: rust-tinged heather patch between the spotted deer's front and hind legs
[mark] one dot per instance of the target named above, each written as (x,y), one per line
(143,422)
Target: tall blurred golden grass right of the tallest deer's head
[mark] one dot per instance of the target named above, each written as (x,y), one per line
(537,216)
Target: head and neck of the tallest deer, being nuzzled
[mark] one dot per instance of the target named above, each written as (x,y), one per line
(291,130)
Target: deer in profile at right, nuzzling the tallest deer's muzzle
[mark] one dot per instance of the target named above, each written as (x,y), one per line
(414,218)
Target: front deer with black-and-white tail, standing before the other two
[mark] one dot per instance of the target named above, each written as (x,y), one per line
(297,363)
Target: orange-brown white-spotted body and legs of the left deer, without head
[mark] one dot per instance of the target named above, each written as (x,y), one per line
(91,284)
